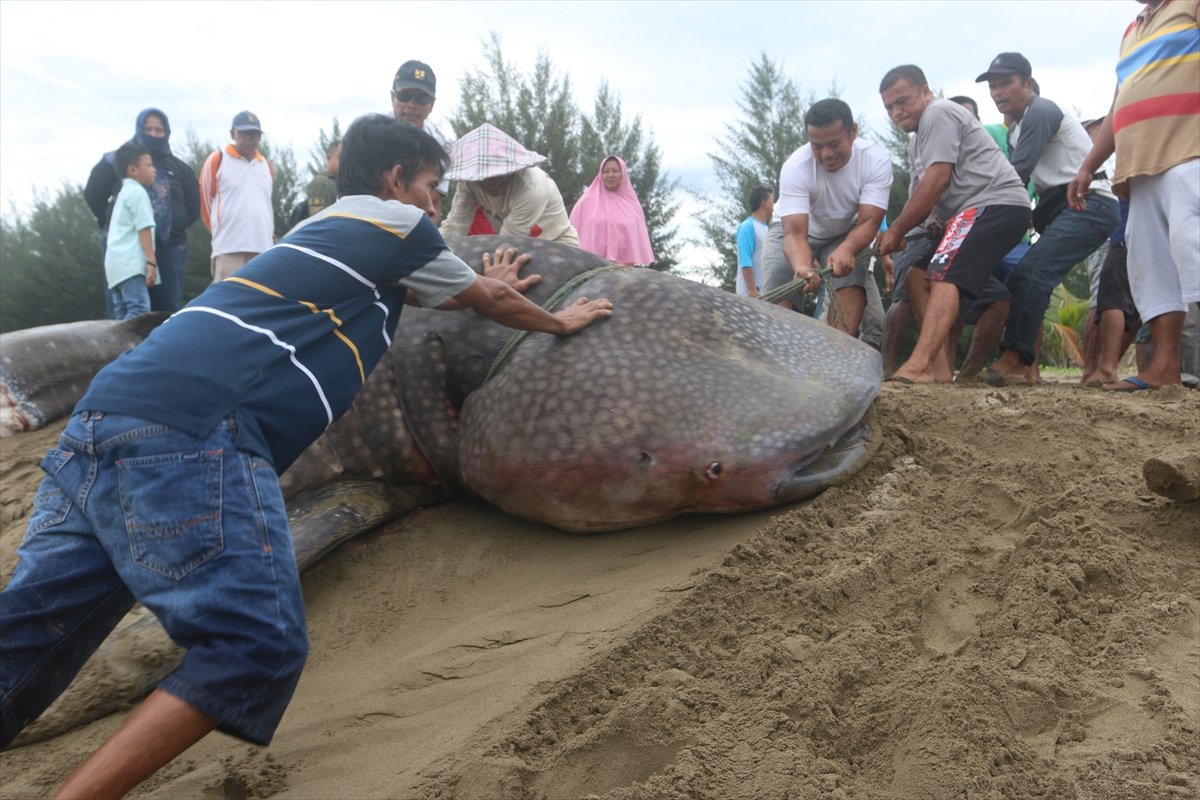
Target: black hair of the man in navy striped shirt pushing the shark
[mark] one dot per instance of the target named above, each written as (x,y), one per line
(375,143)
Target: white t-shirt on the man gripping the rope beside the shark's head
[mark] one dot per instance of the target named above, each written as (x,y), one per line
(832,200)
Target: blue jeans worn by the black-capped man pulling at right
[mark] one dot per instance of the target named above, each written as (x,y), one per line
(1066,242)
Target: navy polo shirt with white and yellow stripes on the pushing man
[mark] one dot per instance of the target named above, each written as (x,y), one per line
(287,344)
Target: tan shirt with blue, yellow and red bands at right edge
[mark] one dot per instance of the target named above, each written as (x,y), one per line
(1157,110)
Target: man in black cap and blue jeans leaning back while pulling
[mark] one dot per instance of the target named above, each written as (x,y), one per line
(1047,146)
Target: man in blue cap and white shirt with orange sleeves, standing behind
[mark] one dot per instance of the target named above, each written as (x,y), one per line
(236,199)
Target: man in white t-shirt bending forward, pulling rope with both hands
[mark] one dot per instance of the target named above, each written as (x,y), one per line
(832,197)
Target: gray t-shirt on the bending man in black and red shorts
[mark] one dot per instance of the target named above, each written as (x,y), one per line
(981,175)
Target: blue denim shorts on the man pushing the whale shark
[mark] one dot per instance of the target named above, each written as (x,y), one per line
(194,530)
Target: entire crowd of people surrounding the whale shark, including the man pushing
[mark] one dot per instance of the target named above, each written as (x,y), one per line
(189,431)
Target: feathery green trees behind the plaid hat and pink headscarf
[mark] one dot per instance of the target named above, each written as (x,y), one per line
(541,112)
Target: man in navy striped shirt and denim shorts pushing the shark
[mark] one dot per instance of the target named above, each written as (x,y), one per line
(164,486)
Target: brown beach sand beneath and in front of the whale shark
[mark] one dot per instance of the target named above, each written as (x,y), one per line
(995,607)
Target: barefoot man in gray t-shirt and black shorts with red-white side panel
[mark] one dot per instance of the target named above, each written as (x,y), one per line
(965,181)
